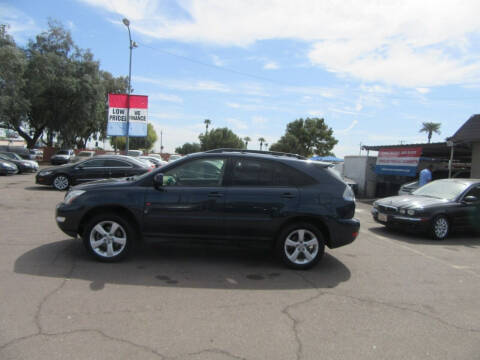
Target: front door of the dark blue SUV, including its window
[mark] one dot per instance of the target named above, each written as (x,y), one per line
(191,202)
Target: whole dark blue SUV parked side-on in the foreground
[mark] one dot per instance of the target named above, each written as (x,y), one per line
(244,197)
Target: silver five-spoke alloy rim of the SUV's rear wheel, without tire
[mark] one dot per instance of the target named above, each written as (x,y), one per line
(301,246)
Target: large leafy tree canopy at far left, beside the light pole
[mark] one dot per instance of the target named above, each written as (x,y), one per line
(53,87)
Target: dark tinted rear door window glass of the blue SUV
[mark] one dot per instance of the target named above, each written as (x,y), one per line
(252,172)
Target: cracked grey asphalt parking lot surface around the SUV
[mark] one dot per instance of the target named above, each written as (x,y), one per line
(388,295)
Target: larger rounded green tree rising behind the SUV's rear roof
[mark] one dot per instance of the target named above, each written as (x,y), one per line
(307,137)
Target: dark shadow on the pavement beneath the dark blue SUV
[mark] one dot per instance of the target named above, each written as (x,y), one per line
(165,265)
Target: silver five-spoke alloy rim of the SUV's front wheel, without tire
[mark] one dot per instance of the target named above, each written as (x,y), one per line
(108,239)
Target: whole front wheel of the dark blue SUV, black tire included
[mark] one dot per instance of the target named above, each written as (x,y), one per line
(105,245)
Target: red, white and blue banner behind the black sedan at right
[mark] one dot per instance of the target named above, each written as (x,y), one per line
(398,161)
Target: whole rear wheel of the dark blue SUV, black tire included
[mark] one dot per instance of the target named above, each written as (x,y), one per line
(300,246)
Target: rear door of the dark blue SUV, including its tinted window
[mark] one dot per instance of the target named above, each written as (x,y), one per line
(259,197)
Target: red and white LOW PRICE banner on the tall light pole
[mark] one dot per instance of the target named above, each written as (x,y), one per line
(118,105)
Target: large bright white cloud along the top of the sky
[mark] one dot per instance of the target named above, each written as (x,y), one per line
(409,43)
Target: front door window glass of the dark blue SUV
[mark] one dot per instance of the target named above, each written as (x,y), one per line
(200,172)
